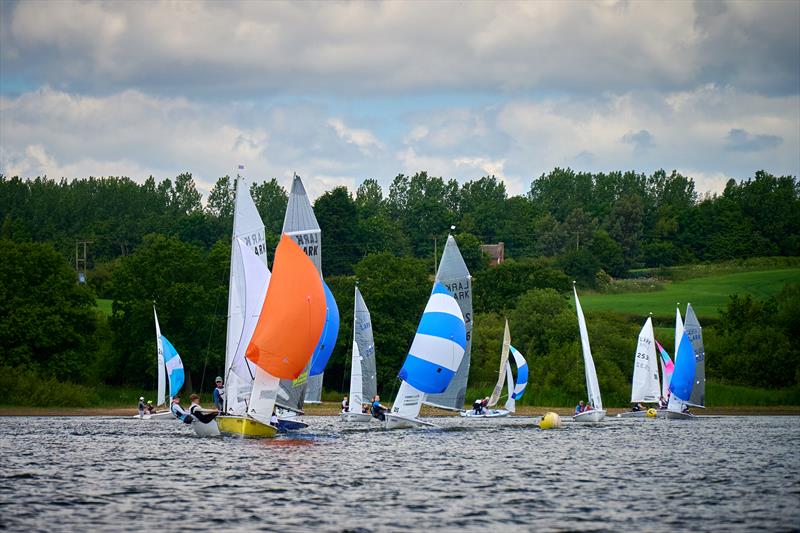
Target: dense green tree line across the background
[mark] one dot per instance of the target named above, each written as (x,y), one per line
(157,243)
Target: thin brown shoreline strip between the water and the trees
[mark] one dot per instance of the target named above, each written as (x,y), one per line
(332,409)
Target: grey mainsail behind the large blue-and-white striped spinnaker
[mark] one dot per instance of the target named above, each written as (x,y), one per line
(453,274)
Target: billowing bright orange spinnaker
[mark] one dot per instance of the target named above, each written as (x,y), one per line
(293,314)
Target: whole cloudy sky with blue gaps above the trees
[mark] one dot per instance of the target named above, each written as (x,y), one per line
(343,91)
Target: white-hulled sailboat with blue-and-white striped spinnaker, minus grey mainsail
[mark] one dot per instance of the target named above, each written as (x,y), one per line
(433,359)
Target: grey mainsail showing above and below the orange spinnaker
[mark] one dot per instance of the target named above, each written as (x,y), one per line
(300,224)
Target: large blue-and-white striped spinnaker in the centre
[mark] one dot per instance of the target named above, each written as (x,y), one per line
(438,346)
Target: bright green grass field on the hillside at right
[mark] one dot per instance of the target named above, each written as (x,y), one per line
(707,294)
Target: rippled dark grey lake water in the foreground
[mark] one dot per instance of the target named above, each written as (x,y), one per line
(721,474)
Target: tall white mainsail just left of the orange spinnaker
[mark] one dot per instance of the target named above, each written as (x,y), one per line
(247,226)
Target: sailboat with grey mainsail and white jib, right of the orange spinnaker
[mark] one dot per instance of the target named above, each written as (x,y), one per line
(363,375)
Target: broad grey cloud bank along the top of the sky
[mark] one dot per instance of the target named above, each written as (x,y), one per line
(209,47)
